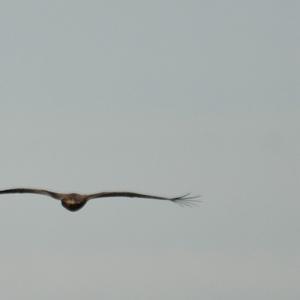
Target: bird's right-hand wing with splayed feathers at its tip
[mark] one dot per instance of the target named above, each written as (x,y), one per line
(183,200)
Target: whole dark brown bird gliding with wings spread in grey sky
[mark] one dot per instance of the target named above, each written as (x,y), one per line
(74,202)
